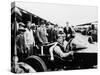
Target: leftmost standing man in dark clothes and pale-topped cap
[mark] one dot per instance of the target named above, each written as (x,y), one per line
(20,42)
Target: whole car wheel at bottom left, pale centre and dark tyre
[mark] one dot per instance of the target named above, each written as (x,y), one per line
(31,64)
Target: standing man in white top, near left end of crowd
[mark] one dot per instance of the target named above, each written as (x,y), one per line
(29,39)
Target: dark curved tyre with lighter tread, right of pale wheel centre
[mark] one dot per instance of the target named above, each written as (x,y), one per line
(37,63)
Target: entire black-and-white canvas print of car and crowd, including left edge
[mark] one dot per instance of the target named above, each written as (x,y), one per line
(53,37)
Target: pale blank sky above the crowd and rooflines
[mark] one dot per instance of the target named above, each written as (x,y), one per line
(61,13)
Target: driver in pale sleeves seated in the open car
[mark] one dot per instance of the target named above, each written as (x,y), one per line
(59,47)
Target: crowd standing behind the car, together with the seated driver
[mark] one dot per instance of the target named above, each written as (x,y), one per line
(30,37)
